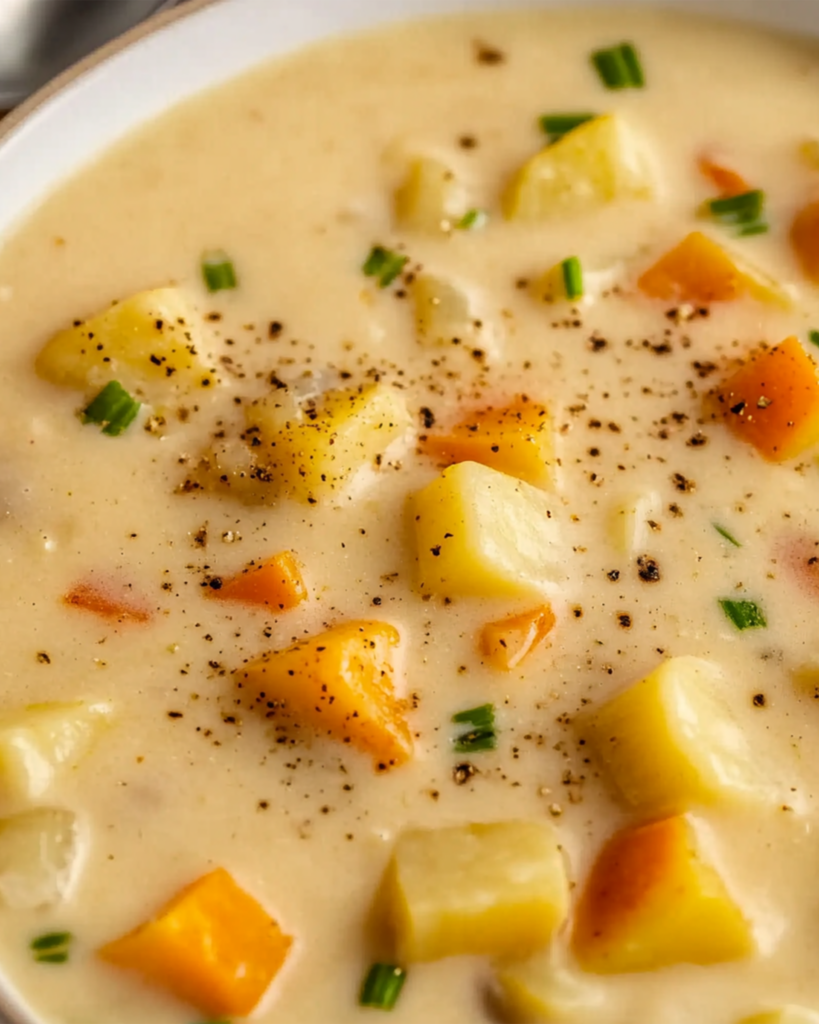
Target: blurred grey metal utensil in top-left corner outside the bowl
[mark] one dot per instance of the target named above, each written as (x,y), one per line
(40,38)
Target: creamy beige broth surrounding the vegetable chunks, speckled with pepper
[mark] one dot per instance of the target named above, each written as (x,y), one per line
(294,178)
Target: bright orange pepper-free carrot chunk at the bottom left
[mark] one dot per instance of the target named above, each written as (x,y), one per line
(213,947)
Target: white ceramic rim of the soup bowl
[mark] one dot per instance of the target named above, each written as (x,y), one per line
(177,56)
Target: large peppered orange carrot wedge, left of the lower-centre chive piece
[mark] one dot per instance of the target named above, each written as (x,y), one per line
(340,684)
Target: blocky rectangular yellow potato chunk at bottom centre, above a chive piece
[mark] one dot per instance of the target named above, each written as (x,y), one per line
(497,889)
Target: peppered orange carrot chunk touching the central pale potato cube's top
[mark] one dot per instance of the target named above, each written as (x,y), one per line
(515,440)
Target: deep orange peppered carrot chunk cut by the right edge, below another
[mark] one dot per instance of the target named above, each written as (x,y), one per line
(773,402)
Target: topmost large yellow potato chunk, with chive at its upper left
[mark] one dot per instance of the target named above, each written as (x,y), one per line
(595,164)
